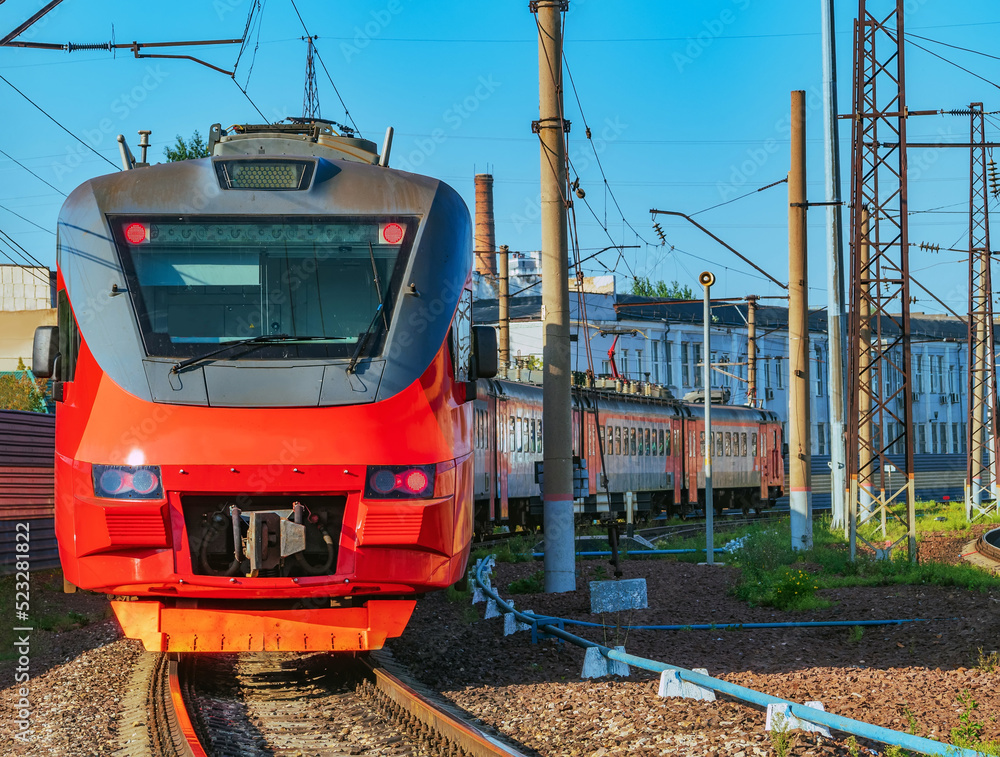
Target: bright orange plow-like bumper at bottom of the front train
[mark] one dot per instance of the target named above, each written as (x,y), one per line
(334,629)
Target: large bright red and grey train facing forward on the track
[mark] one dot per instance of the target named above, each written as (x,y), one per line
(264,372)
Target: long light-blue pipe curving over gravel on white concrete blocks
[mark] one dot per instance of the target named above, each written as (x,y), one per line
(838,722)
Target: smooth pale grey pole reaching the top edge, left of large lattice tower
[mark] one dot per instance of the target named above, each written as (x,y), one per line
(836,320)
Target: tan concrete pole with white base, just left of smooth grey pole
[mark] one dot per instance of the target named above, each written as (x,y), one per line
(799,449)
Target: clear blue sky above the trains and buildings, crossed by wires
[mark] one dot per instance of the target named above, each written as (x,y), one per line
(687,103)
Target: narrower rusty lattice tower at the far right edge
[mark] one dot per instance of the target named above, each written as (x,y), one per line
(980,483)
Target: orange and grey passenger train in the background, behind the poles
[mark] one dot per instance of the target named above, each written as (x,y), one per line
(652,448)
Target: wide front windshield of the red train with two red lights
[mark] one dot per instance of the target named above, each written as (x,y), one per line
(197,282)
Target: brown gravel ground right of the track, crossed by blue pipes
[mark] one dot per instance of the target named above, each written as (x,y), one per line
(906,677)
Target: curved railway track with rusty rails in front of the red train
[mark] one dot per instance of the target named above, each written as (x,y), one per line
(282,705)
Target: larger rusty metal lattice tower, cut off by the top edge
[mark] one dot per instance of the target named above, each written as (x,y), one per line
(880,422)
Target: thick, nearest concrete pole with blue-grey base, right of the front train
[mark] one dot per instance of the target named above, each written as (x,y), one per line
(557,495)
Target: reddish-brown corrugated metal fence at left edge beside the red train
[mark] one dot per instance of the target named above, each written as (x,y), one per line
(27,459)
